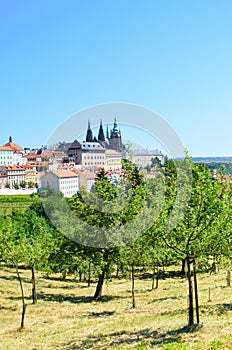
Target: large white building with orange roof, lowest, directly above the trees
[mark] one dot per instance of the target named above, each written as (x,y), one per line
(64,181)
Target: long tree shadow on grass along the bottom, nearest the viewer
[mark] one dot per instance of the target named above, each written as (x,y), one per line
(108,341)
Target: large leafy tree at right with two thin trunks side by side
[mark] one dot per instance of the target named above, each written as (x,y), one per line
(188,238)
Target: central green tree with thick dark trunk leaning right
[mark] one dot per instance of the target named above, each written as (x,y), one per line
(106,212)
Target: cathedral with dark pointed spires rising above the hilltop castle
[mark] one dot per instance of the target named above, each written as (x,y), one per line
(113,140)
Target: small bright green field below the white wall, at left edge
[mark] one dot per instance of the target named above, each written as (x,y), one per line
(19,202)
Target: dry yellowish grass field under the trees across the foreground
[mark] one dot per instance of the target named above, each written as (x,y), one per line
(66,317)
